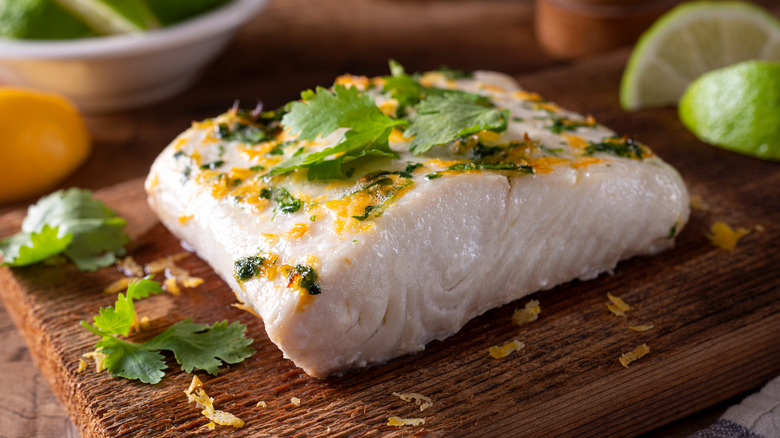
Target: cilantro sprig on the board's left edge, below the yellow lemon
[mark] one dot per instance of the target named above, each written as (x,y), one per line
(69,222)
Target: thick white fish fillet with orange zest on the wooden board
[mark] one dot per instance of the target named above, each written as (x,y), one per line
(439,253)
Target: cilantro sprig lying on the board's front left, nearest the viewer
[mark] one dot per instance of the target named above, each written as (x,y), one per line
(195,346)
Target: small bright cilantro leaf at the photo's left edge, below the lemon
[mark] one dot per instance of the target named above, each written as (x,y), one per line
(24,249)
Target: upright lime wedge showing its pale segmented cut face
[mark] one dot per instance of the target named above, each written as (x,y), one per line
(690,40)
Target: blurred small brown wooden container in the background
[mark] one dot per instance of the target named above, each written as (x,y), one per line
(569,29)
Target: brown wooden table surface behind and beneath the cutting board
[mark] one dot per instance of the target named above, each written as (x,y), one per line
(295,44)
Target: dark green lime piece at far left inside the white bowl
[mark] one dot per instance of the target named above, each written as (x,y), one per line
(39,19)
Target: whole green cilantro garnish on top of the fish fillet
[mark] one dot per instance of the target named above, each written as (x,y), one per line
(433,116)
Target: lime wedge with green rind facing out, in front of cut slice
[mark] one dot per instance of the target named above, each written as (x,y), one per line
(737,108)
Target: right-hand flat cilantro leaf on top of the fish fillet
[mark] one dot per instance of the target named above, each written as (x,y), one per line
(442,118)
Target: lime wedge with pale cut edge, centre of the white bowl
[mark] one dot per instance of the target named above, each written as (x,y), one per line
(109,17)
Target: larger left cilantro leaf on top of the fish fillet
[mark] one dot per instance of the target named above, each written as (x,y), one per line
(323,112)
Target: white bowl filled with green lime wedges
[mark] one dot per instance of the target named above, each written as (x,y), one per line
(112,55)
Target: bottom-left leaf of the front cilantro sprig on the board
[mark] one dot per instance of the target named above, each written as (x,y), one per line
(132,361)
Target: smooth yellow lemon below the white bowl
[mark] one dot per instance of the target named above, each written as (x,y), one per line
(44,139)
